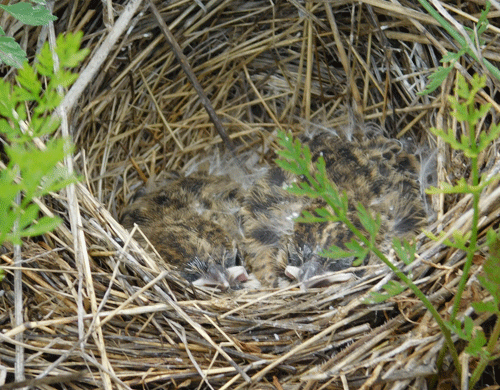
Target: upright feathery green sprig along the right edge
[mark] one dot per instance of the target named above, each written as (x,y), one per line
(472,144)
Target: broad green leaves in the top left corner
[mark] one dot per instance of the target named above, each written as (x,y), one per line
(10,51)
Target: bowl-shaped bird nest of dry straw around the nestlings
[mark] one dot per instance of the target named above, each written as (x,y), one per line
(98,311)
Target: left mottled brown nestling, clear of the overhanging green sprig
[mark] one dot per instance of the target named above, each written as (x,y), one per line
(182,222)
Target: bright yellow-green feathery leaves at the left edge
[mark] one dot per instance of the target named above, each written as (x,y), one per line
(33,171)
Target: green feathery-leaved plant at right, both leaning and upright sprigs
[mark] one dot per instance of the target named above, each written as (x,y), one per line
(296,158)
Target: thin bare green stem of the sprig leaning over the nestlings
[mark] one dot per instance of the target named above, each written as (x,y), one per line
(369,244)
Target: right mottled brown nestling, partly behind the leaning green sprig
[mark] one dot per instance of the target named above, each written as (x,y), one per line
(374,171)
